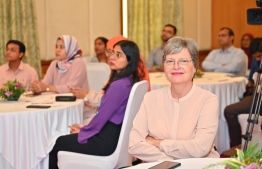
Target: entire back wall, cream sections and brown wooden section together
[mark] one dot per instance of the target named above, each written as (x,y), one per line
(88,19)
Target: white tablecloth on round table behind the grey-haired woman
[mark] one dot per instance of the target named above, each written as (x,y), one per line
(227,88)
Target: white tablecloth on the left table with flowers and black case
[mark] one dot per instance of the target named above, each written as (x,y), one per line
(28,135)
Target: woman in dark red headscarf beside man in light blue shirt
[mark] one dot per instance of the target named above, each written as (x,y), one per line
(245,42)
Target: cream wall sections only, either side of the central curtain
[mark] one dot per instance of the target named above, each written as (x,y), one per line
(88,19)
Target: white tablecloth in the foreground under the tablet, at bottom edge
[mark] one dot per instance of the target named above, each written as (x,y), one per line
(190,163)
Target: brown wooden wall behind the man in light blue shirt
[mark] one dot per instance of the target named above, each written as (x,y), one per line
(232,13)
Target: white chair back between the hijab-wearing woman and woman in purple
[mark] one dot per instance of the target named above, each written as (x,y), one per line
(97,75)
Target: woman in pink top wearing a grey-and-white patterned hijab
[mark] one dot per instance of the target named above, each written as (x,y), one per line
(67,71)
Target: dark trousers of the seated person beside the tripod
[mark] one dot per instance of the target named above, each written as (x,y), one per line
(231,113)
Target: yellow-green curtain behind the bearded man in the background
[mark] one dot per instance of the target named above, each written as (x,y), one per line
(146,19)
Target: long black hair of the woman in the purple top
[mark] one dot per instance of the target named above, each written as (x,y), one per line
(131,51)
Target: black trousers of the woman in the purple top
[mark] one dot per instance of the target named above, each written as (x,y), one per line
(103,144)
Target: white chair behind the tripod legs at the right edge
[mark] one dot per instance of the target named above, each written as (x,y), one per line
(257,132)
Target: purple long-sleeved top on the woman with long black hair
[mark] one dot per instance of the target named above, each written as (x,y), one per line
(112,108)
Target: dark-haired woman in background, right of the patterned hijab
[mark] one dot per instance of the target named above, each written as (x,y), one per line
(100,49)
